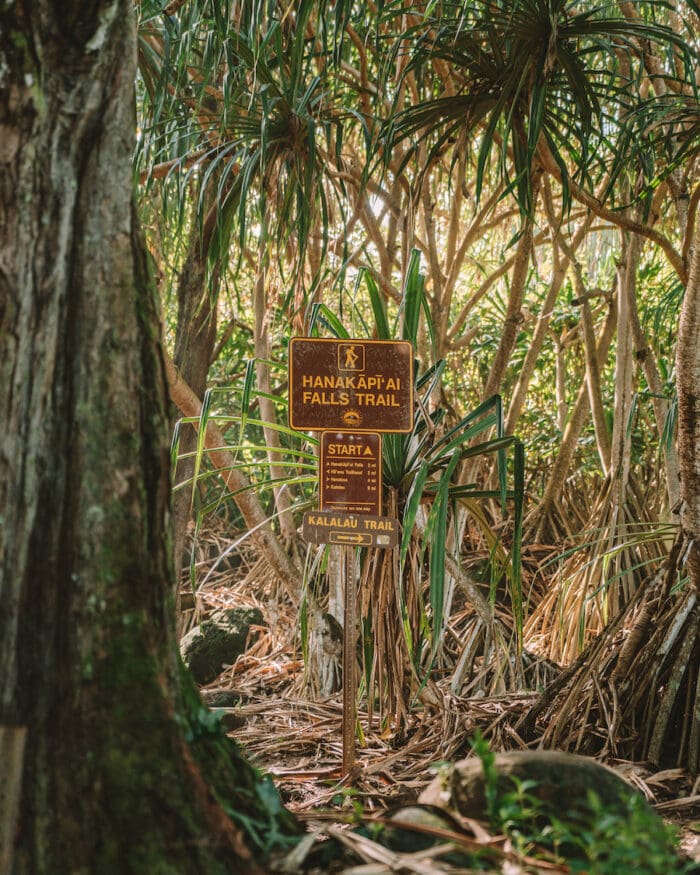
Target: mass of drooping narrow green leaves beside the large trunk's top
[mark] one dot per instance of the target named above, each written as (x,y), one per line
(237,97)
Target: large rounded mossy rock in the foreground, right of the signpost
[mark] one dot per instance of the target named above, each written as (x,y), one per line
(560,782)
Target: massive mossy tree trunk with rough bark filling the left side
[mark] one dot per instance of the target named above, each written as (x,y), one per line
(107,780)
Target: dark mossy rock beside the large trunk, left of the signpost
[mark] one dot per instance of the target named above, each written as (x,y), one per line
(218,641)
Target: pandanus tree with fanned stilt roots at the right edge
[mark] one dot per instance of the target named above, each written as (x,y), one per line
(647,658)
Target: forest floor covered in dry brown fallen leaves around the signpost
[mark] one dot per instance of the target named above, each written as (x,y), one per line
(298,740)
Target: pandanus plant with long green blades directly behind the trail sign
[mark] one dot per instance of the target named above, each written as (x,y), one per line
(404,612)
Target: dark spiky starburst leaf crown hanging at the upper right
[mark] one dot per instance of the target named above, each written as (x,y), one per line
(534,74)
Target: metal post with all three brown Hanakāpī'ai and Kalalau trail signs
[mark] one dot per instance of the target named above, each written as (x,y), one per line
(351,390)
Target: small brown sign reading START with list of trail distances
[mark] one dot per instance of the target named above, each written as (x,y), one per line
(350,470)
